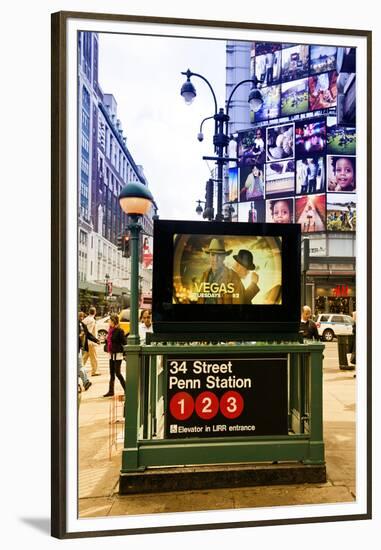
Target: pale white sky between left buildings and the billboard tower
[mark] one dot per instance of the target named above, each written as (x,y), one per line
(144,75)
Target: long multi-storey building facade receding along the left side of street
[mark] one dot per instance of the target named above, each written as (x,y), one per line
(105,165)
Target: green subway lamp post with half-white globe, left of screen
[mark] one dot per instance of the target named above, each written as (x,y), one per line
(135,200)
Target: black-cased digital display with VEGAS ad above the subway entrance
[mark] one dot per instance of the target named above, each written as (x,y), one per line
(226,276)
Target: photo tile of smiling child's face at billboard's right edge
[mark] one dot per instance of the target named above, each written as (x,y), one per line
(341,174)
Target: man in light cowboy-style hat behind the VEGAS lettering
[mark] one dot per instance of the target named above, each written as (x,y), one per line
(219,284)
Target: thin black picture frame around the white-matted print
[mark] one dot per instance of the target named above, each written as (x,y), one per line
(59,276)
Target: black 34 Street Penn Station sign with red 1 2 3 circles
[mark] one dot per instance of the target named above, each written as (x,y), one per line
(224,396)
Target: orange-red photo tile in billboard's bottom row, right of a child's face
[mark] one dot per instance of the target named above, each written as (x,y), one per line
(310,212)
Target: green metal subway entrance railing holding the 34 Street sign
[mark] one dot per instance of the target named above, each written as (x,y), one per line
(223,404)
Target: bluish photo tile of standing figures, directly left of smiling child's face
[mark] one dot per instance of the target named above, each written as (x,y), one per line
(310,176)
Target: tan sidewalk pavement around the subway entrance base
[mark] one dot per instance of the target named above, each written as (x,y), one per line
(99,465)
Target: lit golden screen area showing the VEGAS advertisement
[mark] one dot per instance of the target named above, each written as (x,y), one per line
(211,269)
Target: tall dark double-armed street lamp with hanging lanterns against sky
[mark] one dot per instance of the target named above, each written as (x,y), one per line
(221,119)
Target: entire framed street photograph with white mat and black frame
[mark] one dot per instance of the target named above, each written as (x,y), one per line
(177,392)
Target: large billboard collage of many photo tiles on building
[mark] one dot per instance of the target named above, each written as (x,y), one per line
(297,161)
